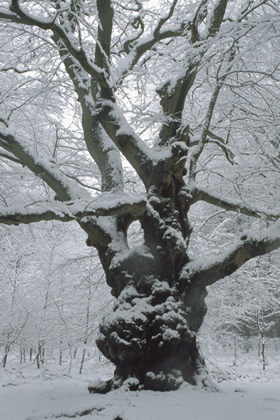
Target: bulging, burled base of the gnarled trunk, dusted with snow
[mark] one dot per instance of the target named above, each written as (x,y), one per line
(150,336)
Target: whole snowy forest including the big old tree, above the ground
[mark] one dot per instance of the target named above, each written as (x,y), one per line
(139,166)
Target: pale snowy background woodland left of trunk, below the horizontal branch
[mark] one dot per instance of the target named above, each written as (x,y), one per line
(52,294)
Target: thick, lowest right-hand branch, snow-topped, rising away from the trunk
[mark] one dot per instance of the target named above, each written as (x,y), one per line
(201,272)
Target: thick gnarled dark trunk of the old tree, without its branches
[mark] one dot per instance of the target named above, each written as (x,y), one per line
(151,335)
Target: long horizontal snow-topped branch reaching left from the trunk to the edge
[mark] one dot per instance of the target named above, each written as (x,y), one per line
(104,205)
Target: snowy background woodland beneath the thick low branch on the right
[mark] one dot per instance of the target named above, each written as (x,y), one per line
(244,310)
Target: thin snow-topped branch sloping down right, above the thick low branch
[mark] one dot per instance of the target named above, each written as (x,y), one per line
(232,204)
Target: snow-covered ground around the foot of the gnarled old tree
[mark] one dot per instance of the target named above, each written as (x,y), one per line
(246,392)
